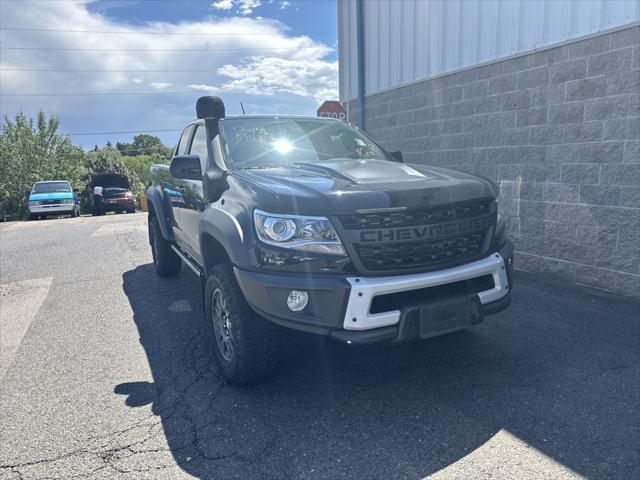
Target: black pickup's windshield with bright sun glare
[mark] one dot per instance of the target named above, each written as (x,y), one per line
(269,142)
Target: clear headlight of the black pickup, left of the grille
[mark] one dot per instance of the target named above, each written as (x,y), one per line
(298,232)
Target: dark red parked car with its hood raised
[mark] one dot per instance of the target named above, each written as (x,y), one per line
(111,192)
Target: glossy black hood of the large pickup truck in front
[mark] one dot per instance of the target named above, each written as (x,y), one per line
(346,185)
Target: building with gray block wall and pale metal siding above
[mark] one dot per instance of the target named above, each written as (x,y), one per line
(541,96)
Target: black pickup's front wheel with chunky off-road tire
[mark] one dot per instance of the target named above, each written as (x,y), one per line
(246,344)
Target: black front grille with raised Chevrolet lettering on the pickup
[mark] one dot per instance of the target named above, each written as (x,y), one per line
(398,242)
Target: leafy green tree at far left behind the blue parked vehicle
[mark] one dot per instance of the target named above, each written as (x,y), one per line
(31,151)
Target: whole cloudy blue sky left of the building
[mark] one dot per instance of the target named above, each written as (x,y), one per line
(150,59)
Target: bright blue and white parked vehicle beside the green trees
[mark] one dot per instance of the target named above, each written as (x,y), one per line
(53,198)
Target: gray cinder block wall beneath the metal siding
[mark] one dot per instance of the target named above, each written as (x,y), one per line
(559,131)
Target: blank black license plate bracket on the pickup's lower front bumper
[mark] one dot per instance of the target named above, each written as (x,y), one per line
(444,316)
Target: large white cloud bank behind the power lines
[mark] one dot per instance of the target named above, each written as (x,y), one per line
(254,61)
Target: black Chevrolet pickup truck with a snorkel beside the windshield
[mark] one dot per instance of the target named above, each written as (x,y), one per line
(306,223)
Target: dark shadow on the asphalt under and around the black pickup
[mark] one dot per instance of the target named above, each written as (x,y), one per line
(558,370)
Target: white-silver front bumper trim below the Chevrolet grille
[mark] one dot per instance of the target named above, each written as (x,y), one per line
(363,290)
